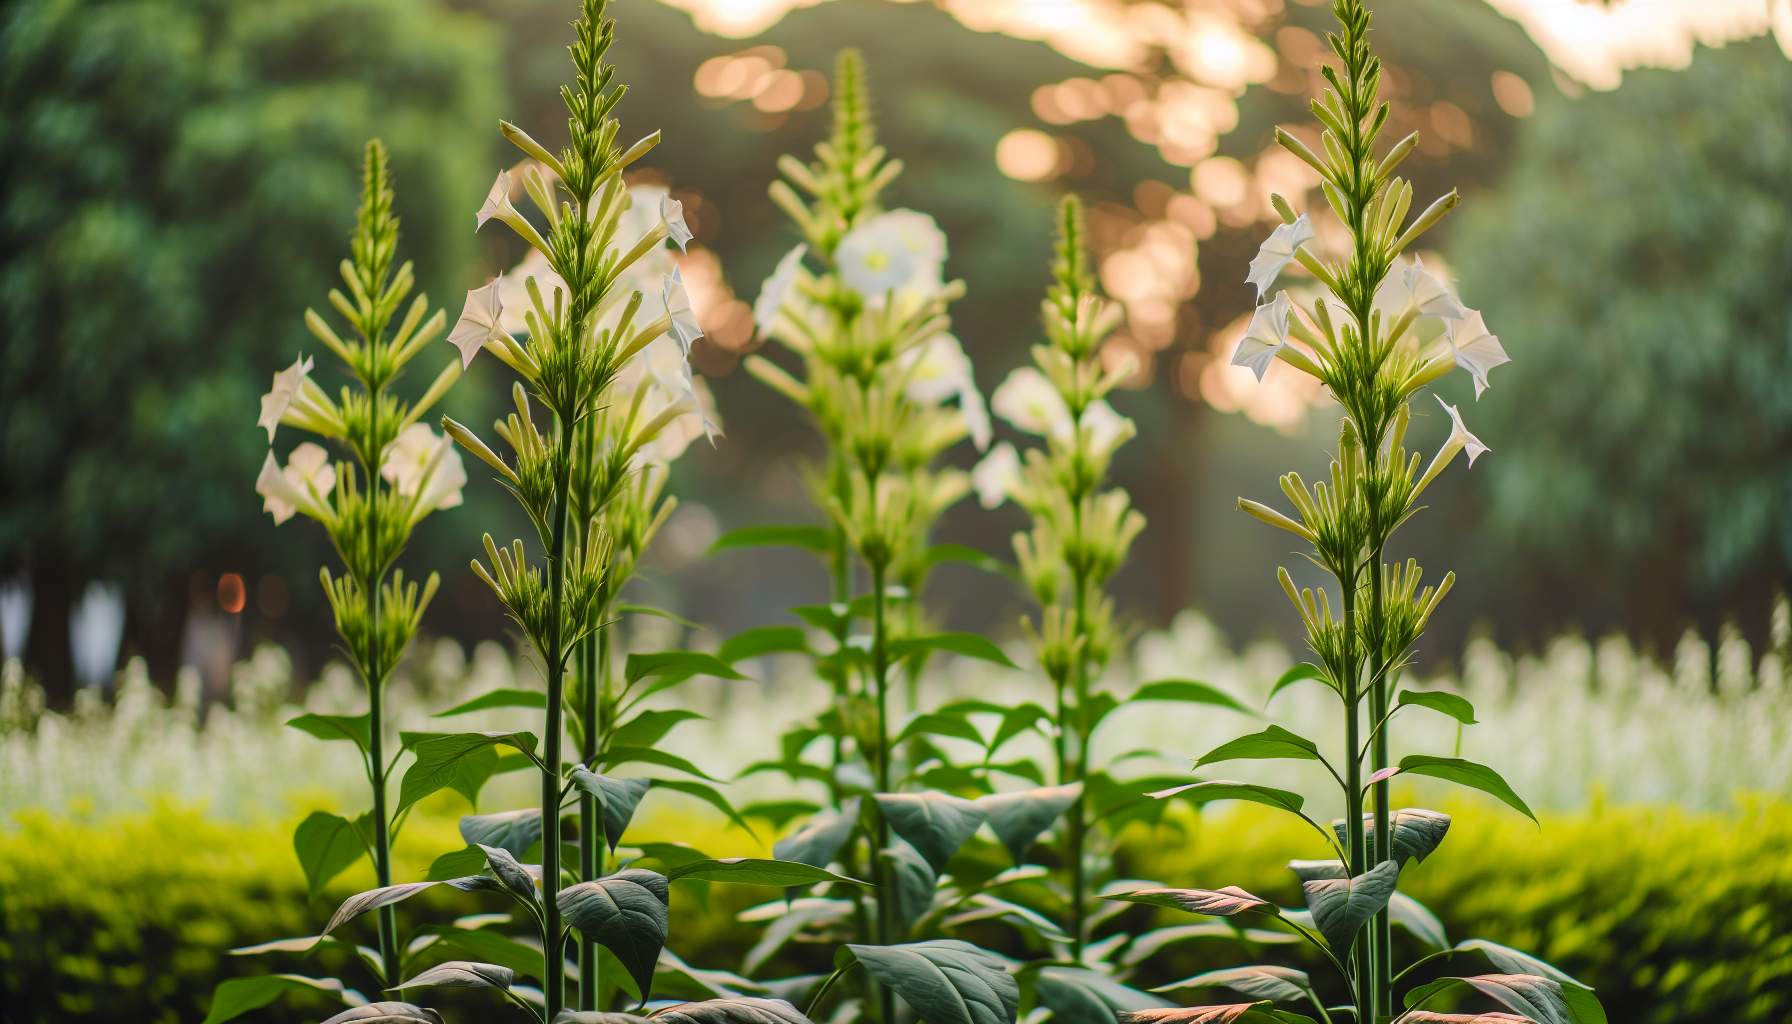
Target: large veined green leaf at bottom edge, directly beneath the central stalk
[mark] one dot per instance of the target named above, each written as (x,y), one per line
(945,982)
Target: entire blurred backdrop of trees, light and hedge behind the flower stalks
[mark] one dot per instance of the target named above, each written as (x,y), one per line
(180,180)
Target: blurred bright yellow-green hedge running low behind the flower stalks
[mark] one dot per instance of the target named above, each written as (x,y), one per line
(1675,917)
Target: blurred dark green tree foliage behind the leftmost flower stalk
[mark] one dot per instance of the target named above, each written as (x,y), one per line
(180,182)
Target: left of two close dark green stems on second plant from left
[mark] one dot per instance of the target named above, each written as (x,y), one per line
(553,937)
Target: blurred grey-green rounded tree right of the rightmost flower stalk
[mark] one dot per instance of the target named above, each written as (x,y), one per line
(1637,263)
